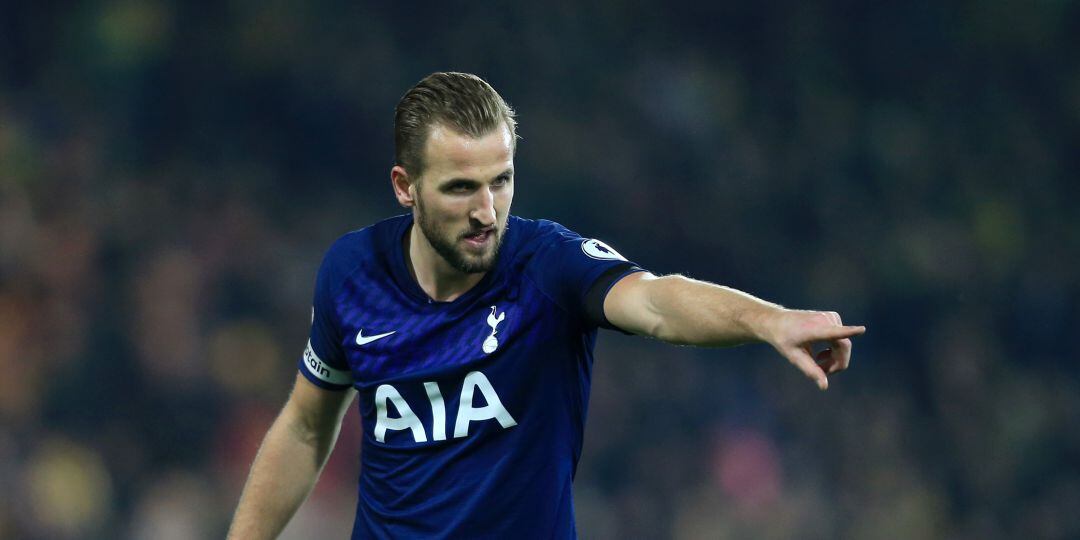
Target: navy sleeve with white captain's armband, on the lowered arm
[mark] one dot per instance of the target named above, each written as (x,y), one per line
(323,362)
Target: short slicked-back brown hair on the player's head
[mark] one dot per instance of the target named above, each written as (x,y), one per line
(463,102)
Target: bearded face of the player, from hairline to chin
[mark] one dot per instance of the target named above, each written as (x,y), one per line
(463,200)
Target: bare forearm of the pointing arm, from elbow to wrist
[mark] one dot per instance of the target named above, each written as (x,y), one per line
(700,314)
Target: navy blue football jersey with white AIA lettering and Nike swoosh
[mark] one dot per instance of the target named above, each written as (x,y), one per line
(474,411)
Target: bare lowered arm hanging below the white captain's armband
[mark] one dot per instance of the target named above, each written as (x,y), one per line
(290,460)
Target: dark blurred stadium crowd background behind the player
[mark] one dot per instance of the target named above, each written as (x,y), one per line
(172,172)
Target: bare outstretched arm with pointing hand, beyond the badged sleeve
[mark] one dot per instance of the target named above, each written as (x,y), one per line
(685,312)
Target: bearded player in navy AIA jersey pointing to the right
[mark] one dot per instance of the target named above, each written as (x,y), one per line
(468,334)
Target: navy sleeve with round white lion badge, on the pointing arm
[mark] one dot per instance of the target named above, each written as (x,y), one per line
(569,269)
